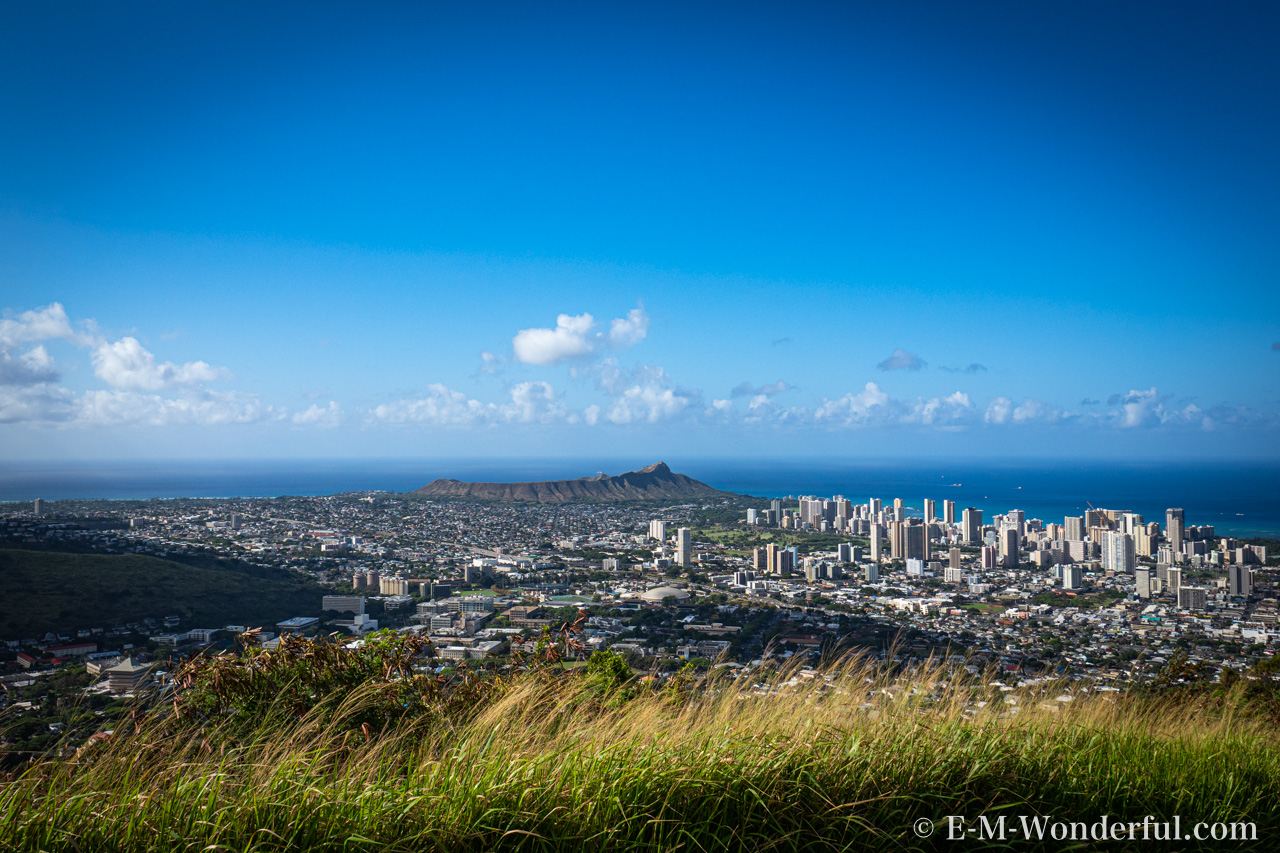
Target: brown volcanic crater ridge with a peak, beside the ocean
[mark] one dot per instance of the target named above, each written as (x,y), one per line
(651,483)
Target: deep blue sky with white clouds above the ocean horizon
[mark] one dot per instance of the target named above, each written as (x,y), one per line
(487,230)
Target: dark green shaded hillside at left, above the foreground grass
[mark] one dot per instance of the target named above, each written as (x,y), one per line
(53,591)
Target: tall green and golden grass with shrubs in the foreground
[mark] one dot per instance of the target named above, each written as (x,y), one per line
(319,749)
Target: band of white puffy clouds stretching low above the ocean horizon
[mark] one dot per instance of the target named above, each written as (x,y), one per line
(595,391)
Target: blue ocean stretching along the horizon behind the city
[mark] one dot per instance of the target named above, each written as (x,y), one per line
(1237,499)
